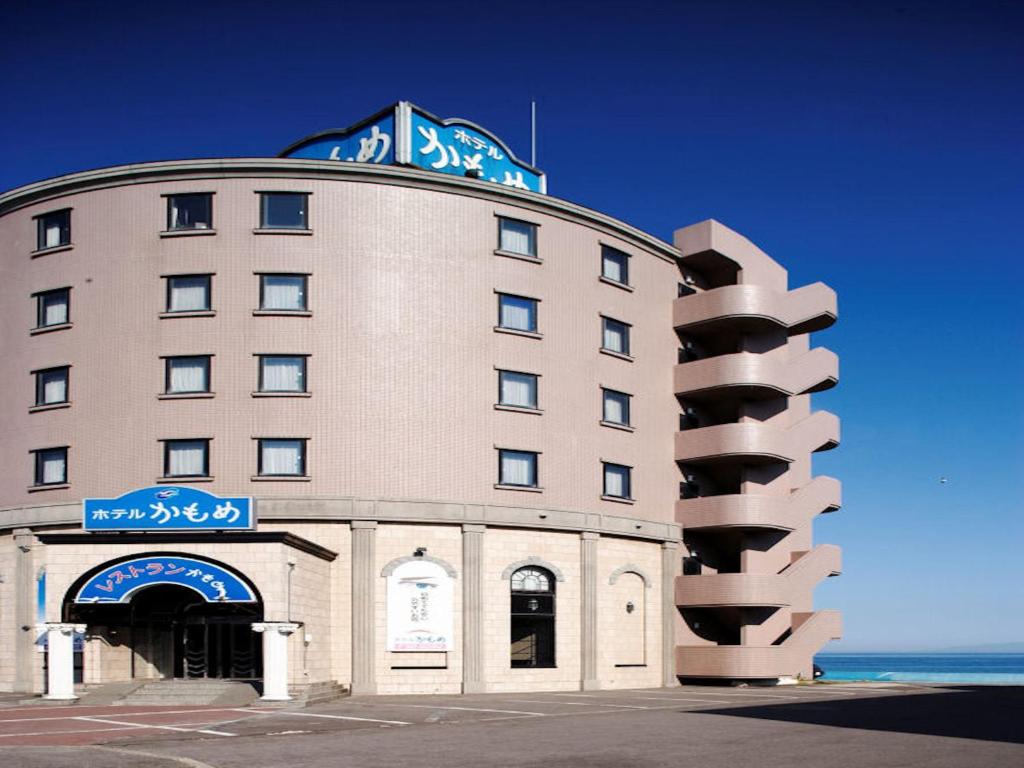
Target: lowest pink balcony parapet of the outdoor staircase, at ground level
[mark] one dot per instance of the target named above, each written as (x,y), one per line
(791,659)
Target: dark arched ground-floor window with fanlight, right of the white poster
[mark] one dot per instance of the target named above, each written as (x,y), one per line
(533,618)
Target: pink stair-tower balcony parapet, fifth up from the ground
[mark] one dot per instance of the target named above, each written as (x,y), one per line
(754,376)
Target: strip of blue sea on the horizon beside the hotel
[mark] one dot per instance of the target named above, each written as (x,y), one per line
(976,669)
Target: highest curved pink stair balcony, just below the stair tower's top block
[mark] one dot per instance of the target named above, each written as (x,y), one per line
(753,309)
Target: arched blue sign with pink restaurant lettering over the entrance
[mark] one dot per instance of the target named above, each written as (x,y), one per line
(118,583)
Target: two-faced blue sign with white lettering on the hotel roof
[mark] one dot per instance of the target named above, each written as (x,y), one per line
(405,135)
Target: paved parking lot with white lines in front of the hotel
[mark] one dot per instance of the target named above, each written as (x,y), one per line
(829,726)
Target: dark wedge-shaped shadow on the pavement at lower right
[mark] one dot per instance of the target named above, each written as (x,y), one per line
(991,714)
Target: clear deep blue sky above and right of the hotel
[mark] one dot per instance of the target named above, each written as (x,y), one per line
(875,147)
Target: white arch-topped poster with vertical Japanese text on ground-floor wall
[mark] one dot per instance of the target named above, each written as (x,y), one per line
(419,608)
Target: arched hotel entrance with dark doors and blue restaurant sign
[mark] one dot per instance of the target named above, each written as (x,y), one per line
(168,616)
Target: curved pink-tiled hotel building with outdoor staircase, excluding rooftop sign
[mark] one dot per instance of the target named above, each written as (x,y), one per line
(489,440)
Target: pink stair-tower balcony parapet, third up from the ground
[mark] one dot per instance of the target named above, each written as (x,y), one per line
(761,510)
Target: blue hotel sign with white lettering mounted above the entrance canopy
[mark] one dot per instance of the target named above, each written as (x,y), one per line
(168,508)
